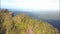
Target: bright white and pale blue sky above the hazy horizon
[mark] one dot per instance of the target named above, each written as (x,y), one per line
(29,5)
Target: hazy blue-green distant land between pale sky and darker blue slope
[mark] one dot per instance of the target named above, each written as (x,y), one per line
(46,15)
